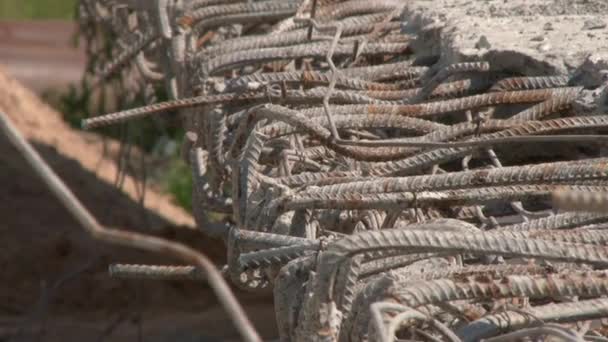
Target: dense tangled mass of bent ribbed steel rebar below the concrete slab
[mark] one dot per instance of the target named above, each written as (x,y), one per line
(383,195)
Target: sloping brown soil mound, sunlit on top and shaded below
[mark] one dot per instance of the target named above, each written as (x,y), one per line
(54,284)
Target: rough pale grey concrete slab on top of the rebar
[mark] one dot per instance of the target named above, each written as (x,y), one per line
(529,37)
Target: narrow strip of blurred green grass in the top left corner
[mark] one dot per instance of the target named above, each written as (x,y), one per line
(37,9)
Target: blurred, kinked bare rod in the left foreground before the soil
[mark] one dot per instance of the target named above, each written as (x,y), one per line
(131,239)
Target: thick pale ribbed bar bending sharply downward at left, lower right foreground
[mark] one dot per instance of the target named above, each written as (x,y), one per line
(440,241)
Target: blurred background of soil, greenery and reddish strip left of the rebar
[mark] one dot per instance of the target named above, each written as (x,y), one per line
(55,285)
